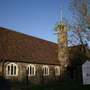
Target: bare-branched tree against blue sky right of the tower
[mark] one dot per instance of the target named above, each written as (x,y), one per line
(81,27)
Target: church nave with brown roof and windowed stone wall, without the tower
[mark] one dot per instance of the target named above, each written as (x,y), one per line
(22,55)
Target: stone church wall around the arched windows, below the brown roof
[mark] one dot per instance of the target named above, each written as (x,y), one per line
(37,79)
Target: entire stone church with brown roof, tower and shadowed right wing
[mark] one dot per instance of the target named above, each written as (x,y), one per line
(25,57)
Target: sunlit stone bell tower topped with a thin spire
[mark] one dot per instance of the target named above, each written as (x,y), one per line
(61,30)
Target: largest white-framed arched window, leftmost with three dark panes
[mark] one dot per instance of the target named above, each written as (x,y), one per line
(12,69)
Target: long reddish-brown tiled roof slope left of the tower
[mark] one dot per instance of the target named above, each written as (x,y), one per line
(15,46)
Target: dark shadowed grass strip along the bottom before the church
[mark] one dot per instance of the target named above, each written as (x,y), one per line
(56,85)
